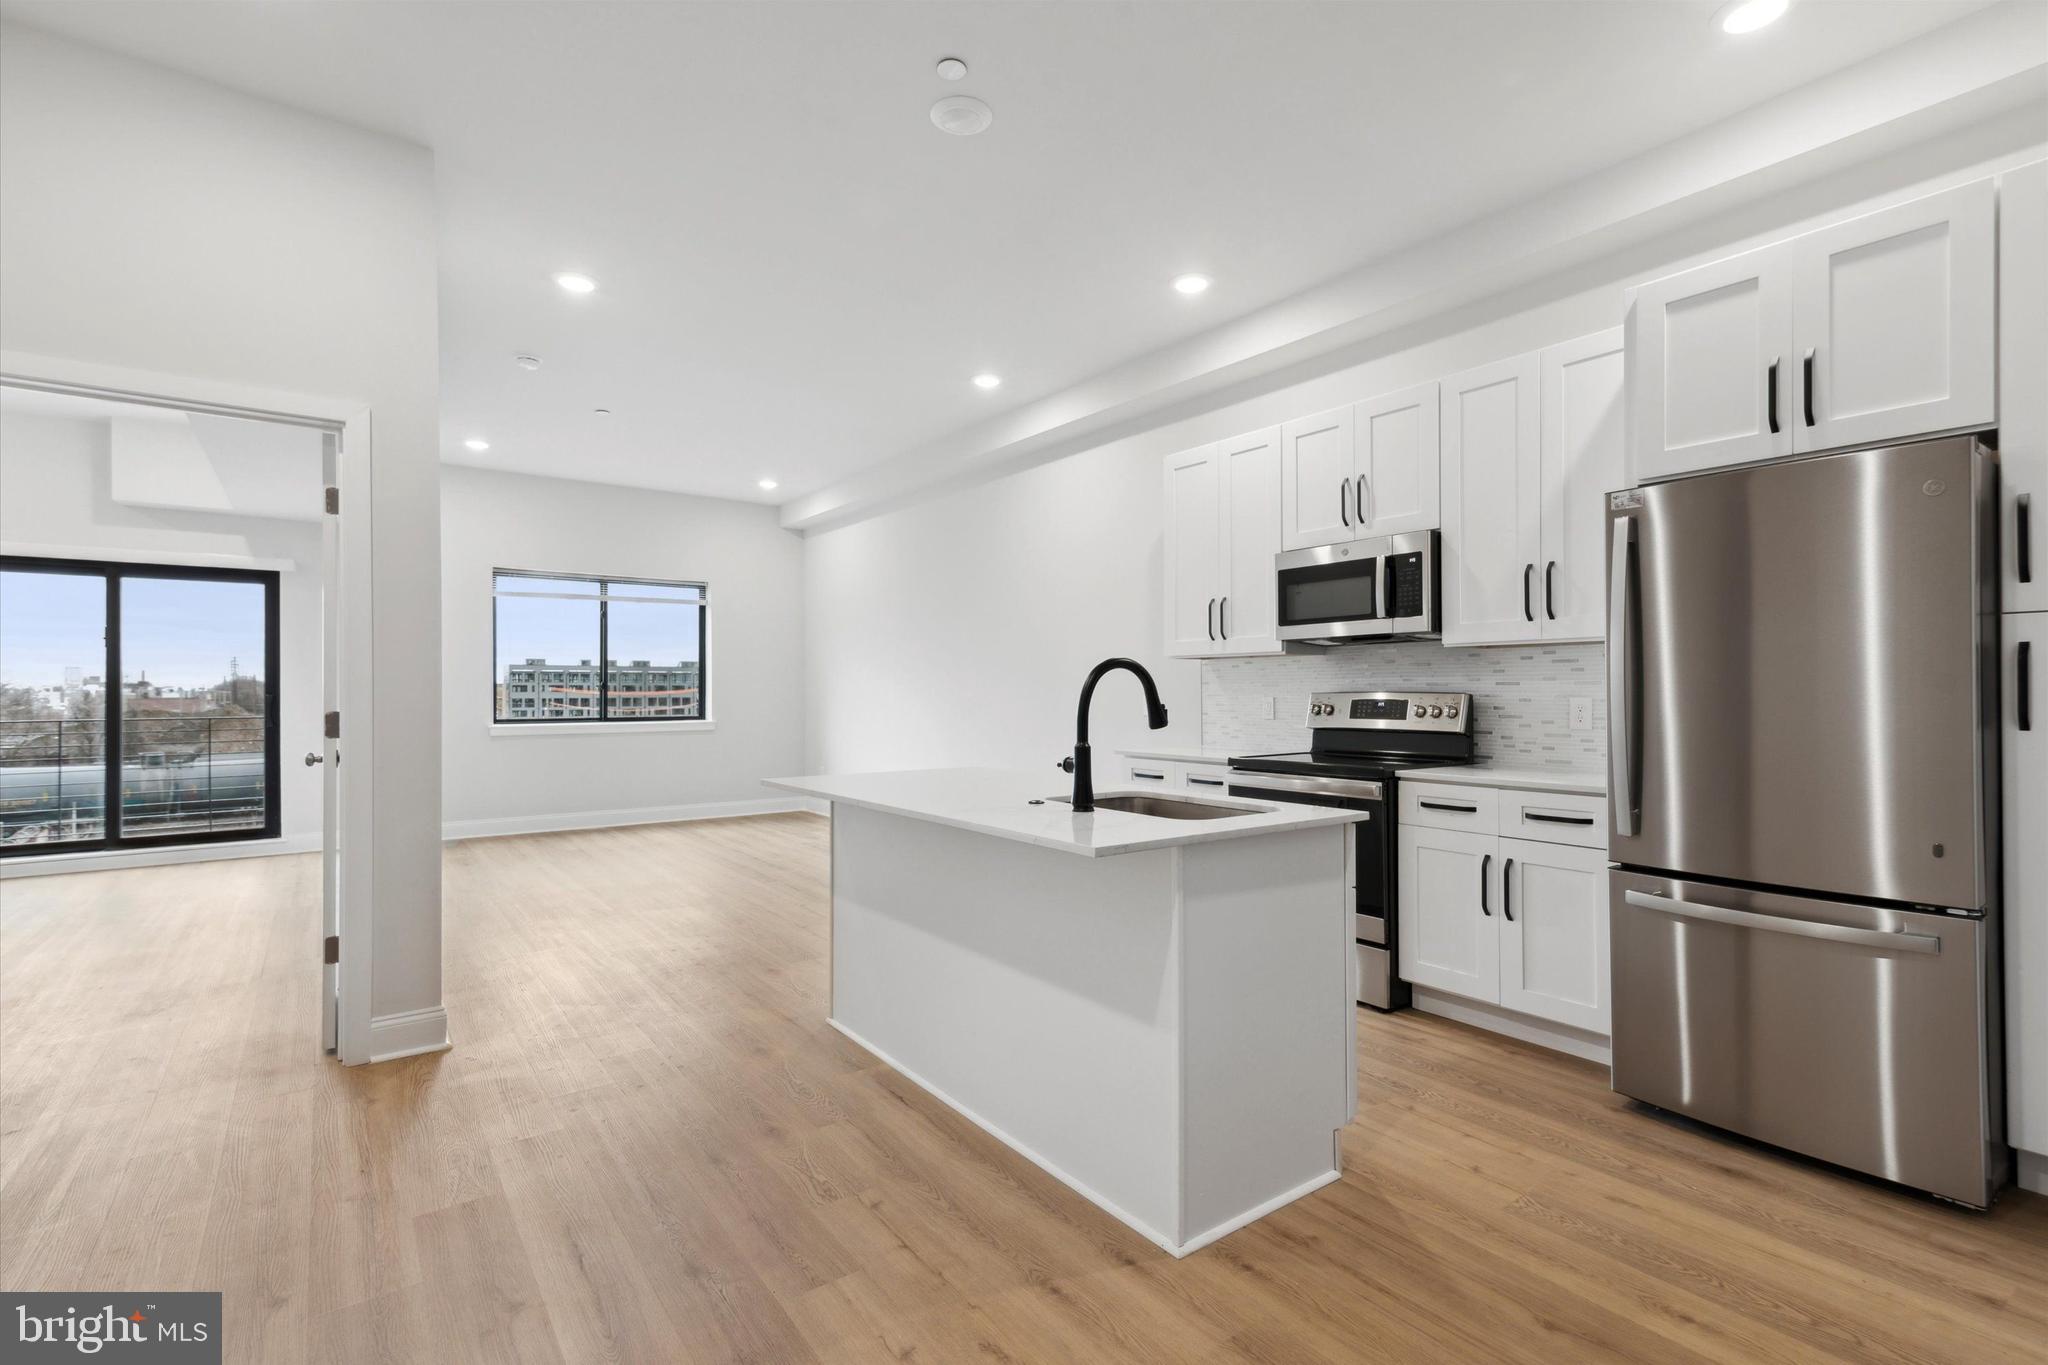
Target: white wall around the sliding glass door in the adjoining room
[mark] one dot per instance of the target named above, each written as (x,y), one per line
(54,492)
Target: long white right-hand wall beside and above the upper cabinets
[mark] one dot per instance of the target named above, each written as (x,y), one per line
(959,629)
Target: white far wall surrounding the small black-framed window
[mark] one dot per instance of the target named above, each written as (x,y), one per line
(513,779)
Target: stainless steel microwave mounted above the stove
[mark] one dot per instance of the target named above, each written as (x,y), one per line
(1361,590)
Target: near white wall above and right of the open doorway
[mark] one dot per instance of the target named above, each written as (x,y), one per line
(280,251)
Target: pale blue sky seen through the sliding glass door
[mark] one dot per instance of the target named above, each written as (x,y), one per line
(181,633)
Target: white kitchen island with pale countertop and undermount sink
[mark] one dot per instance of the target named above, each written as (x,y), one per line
(1154,1010)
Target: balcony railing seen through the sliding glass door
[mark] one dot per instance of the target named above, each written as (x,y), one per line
(179,775)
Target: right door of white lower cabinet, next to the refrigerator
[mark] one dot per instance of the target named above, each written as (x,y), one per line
(1555,932)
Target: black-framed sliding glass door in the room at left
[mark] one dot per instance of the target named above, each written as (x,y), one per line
(138,705)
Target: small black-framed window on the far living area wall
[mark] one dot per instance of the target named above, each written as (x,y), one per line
(599,650)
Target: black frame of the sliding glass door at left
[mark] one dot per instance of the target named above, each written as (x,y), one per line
(112,799)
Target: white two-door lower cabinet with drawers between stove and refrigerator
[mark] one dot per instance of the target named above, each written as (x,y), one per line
(1508,922)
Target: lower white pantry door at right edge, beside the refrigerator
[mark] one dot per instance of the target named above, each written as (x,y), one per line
(2024,734)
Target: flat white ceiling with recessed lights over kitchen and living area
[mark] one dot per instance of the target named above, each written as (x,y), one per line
(800,275)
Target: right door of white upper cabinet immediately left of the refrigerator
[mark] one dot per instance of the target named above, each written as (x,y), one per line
(1584,447)
